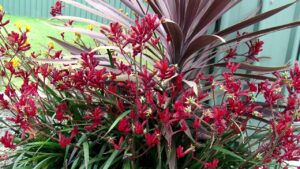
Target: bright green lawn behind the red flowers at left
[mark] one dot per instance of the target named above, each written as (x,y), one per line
(40,30)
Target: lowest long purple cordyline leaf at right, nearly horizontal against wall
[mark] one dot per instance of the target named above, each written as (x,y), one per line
(250,67)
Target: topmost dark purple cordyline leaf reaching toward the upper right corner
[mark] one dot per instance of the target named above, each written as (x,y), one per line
(253,20)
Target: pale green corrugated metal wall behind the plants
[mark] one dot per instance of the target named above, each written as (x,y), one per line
(281,46)
